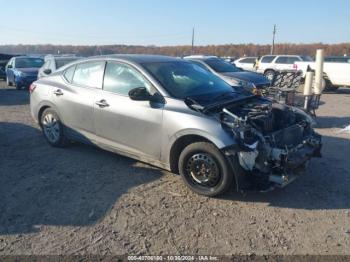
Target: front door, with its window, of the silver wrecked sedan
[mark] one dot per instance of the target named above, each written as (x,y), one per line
(133,127)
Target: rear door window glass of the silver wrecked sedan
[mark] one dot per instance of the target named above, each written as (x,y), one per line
(89,74)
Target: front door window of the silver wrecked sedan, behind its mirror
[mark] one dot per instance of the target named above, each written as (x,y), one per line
(120,79)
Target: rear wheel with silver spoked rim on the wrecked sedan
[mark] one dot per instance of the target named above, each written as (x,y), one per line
(53,129)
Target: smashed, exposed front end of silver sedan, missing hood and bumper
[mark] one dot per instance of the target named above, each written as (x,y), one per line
(274,143)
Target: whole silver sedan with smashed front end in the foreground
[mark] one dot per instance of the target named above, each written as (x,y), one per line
(176,115)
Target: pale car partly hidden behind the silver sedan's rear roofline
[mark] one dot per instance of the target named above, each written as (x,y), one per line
(54,62)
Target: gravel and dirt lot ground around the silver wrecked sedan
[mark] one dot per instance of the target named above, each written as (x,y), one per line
(83,200)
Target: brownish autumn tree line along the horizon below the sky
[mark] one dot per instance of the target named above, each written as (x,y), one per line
(232,50)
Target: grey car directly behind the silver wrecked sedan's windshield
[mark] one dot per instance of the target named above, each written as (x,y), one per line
(230,73)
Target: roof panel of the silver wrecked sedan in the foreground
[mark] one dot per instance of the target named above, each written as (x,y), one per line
(138,58)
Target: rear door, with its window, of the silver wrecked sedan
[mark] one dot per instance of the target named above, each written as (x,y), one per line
(75,99)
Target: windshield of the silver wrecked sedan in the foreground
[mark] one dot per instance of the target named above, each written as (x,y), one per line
(183,79)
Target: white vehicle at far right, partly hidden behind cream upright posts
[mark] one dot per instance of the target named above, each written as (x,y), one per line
(336,74)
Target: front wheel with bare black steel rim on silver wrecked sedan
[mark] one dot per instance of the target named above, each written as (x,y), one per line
(204,169)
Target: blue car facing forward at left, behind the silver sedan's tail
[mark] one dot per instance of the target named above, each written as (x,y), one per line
(22,71)
